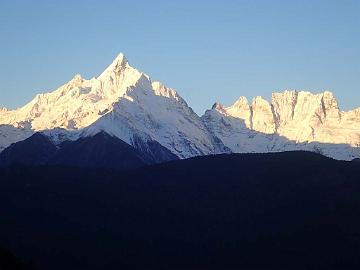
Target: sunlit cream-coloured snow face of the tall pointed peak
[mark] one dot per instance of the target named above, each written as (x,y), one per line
(79,102)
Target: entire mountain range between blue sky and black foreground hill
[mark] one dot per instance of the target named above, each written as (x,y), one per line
(148,122)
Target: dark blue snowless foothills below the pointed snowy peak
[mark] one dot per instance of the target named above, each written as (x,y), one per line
(98,151)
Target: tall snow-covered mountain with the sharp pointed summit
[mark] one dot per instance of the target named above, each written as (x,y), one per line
(123,102)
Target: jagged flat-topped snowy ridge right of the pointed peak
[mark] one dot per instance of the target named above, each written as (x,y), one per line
(292,121)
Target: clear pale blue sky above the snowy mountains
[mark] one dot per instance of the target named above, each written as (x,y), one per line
(208,50)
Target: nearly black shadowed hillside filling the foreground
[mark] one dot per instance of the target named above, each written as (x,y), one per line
(293,210)
